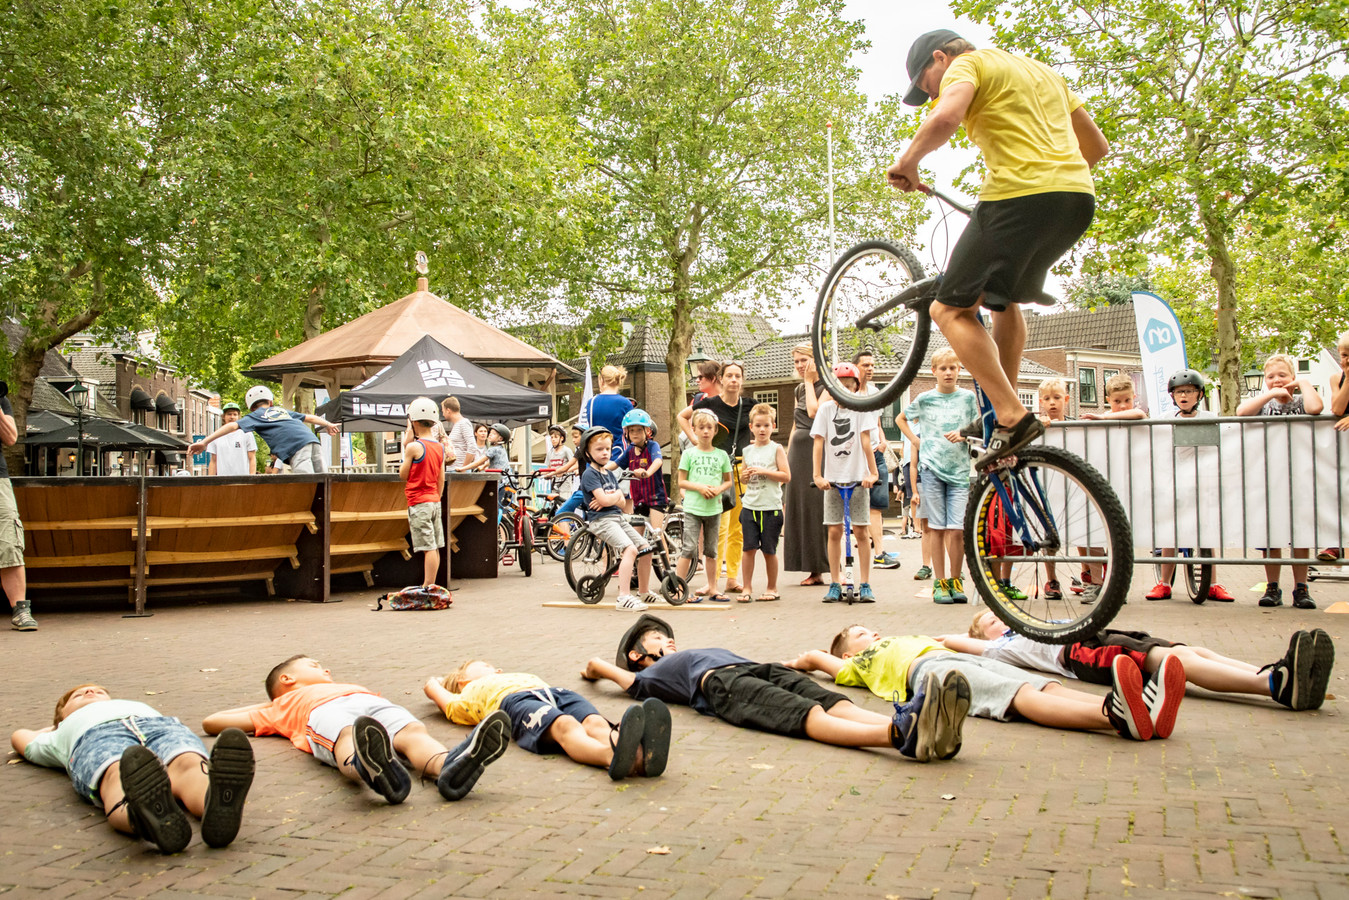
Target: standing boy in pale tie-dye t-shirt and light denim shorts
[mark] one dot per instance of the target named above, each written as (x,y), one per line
(945,459)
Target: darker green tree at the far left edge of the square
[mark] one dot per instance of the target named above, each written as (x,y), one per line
(92,149)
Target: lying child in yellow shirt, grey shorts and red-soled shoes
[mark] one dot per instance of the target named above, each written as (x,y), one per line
(861,658)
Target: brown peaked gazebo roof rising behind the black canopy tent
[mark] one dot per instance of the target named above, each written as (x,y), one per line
(353,353)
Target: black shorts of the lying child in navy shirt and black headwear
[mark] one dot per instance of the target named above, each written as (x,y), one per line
(768,697)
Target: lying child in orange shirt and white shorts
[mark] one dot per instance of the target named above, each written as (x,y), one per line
(357,732)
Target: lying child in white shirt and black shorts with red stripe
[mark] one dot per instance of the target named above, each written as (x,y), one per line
(1298,681)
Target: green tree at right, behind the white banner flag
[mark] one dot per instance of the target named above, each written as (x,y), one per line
(1220,117)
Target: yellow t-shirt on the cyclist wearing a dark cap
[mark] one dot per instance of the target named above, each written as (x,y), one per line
(1022,121)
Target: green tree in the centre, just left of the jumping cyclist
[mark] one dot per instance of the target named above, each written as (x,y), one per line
(705,122)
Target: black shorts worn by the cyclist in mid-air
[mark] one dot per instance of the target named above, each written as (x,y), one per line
(1007,250)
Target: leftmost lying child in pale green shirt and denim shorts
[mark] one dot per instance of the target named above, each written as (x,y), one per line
(141,766)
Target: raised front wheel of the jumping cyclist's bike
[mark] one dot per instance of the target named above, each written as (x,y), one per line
(863,307)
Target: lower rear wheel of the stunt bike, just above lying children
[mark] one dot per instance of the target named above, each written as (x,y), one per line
(1062,515)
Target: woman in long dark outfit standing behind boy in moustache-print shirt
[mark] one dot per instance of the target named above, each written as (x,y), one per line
(803,513)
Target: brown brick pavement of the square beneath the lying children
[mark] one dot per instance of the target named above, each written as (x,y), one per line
(1243,801)
